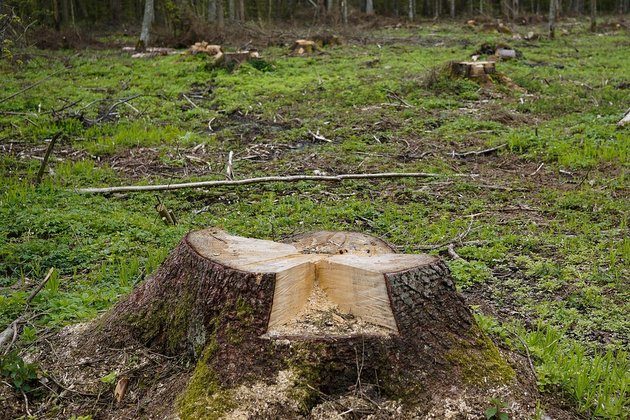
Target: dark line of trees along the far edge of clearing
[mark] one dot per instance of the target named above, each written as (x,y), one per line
(180,15)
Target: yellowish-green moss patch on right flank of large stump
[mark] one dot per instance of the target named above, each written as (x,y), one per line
(480,362)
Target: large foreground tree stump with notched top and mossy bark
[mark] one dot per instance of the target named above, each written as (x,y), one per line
(316,316)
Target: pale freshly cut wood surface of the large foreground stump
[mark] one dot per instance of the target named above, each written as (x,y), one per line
(347,269)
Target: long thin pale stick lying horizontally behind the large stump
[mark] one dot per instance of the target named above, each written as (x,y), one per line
(265,179)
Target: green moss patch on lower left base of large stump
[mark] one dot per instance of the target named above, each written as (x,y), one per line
(204,397)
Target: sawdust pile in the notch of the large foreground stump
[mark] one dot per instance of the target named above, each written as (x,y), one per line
(321,317)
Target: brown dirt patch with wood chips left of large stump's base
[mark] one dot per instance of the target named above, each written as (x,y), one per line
(80,380)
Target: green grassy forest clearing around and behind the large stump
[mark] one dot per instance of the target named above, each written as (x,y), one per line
(551,248)
